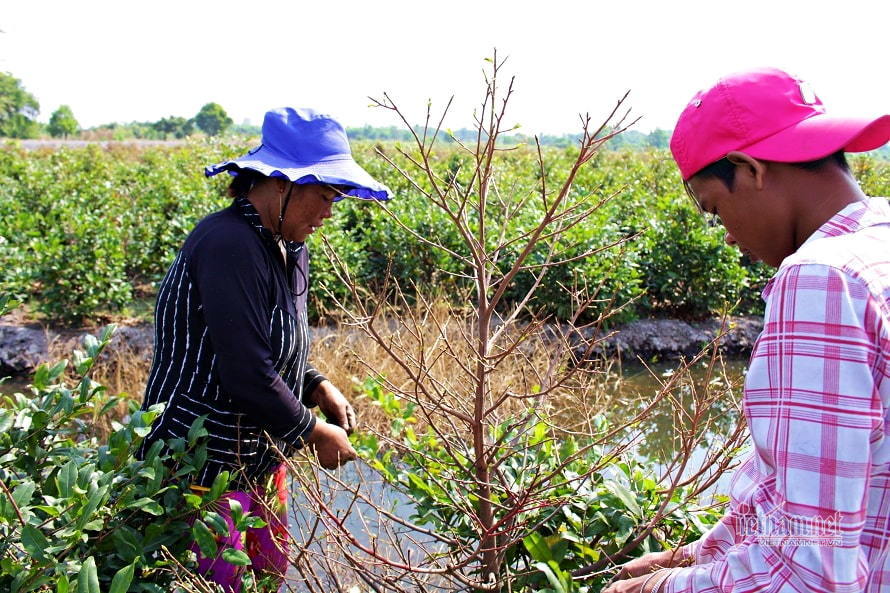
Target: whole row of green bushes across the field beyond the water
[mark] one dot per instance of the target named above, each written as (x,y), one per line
(82,230)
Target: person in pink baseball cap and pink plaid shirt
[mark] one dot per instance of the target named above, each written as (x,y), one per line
(810,506)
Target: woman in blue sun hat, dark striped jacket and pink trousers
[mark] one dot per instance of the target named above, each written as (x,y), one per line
(231,330)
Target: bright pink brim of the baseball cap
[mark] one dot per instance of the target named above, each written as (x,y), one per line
(822,135)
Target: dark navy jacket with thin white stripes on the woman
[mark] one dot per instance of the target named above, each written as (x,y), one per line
(231,344)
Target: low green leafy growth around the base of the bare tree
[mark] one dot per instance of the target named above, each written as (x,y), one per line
(597,504)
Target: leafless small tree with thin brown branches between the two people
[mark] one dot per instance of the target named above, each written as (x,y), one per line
(480,377)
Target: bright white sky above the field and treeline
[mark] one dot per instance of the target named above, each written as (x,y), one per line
(128,61)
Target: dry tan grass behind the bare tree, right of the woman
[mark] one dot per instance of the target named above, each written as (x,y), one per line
(441,336)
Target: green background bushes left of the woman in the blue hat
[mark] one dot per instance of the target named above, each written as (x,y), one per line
(82,227)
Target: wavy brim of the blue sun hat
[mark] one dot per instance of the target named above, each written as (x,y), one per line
(341,171)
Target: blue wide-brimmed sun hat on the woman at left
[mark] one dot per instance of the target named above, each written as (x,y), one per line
(305,146)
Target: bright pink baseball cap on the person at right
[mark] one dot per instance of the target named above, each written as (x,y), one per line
(770,115)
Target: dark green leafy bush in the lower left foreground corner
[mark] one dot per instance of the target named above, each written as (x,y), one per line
(80,514)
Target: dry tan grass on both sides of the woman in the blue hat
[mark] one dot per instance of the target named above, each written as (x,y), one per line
(349,358)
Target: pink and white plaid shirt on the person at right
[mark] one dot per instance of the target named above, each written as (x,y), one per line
(810,508)
